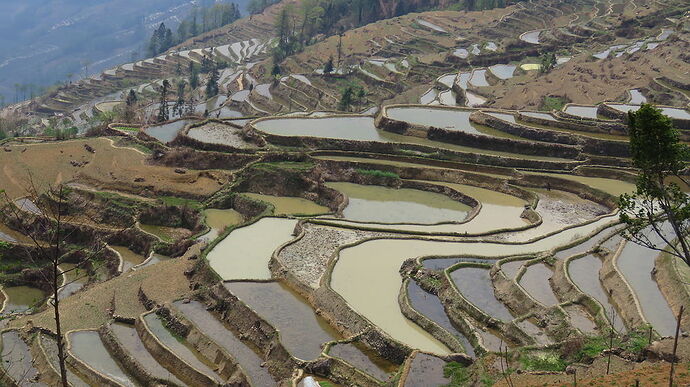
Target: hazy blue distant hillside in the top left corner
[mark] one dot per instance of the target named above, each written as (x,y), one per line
(45,40)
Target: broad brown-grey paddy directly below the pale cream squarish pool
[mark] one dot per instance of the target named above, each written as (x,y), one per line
(301,330)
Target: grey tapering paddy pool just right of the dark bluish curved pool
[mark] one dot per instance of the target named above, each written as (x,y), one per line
(475,285)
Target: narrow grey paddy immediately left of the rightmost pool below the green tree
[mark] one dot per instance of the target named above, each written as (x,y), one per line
(585,274)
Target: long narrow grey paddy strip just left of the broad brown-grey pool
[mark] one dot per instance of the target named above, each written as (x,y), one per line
(249,360)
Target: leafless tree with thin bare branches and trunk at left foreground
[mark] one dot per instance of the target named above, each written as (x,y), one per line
(50,219)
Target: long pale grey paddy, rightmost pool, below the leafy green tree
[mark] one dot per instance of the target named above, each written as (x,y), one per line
(636,264)
